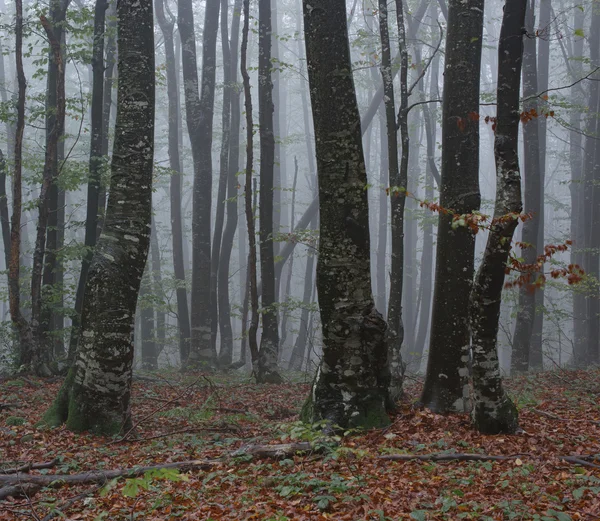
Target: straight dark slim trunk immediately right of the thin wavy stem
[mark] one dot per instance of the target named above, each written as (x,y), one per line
(269,345)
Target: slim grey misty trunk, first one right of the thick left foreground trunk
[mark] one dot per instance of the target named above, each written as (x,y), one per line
(183,317)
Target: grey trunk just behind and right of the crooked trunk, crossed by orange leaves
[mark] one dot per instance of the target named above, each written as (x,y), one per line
(522,355)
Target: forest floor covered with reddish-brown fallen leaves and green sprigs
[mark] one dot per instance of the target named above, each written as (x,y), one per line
(201,417)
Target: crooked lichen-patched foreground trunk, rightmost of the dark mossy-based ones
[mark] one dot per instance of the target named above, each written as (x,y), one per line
(493,411)
